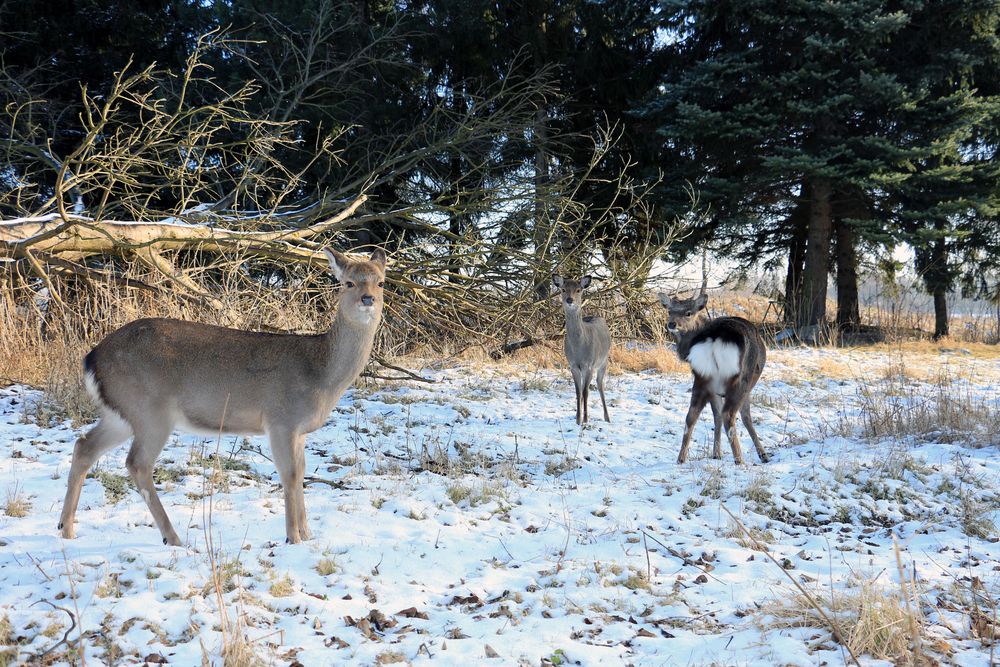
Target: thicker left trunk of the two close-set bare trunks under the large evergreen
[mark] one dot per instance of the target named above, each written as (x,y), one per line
(812,308)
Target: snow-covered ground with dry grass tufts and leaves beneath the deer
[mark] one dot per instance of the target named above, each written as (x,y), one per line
(471,521)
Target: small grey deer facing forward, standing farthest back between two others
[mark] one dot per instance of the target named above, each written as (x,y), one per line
(587,345)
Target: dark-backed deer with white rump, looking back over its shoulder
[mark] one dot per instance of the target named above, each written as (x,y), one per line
(727,356)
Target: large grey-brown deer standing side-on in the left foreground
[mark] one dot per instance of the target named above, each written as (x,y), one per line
(154,375)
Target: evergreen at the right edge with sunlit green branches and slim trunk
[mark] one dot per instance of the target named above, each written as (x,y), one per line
(946,206)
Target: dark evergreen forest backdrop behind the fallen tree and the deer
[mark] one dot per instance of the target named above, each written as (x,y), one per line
(807,137)
